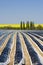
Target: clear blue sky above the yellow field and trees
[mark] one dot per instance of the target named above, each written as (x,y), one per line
(13,11)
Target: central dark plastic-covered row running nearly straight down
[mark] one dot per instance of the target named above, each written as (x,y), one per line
(18,55)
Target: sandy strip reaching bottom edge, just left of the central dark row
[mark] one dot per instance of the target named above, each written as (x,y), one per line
(12,54)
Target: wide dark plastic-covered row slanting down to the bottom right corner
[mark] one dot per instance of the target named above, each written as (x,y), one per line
(32,53)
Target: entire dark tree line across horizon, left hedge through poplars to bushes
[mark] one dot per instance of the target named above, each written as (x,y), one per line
(24,26)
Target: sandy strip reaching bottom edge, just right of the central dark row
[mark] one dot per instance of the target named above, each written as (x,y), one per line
(26,54)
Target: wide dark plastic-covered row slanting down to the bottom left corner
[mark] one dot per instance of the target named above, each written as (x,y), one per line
(5,54)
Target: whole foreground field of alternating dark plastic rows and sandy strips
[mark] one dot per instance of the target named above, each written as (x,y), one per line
(21,47)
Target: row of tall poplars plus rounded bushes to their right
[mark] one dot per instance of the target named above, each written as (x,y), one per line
(30,26)
